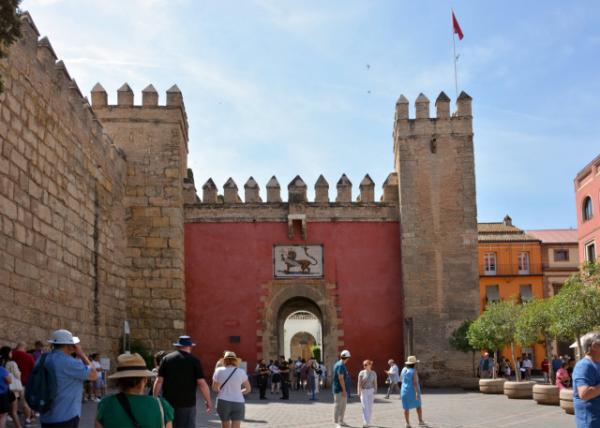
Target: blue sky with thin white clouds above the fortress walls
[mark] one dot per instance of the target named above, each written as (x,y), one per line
(276,87)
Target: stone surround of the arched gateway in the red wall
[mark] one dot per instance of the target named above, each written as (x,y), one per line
(284,298)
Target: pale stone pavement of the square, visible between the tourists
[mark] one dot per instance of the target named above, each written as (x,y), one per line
(441,408)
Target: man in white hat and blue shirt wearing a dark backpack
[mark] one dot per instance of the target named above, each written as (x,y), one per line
(70,373)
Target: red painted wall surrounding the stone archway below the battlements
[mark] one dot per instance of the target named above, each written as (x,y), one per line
(227,262)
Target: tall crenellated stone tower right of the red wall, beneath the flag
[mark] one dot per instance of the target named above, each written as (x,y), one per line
(436,186)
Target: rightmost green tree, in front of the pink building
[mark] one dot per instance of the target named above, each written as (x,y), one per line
(575,309)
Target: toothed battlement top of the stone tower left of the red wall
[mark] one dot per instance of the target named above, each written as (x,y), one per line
(150,110)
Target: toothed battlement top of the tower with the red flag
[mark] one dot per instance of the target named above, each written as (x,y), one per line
(460,122)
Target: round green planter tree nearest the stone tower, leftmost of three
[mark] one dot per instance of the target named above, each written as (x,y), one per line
(496,328)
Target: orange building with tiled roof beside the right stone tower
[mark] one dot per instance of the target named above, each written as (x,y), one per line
(510,267)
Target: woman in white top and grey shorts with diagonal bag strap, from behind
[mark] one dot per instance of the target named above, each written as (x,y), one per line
(231,384)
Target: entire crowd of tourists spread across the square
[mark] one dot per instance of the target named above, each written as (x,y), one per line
(52,385)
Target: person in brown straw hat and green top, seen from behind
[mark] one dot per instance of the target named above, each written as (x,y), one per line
(131,407)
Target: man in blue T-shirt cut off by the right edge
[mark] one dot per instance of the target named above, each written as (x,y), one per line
(586,383)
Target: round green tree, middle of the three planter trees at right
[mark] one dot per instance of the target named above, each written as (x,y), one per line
(534,325)
